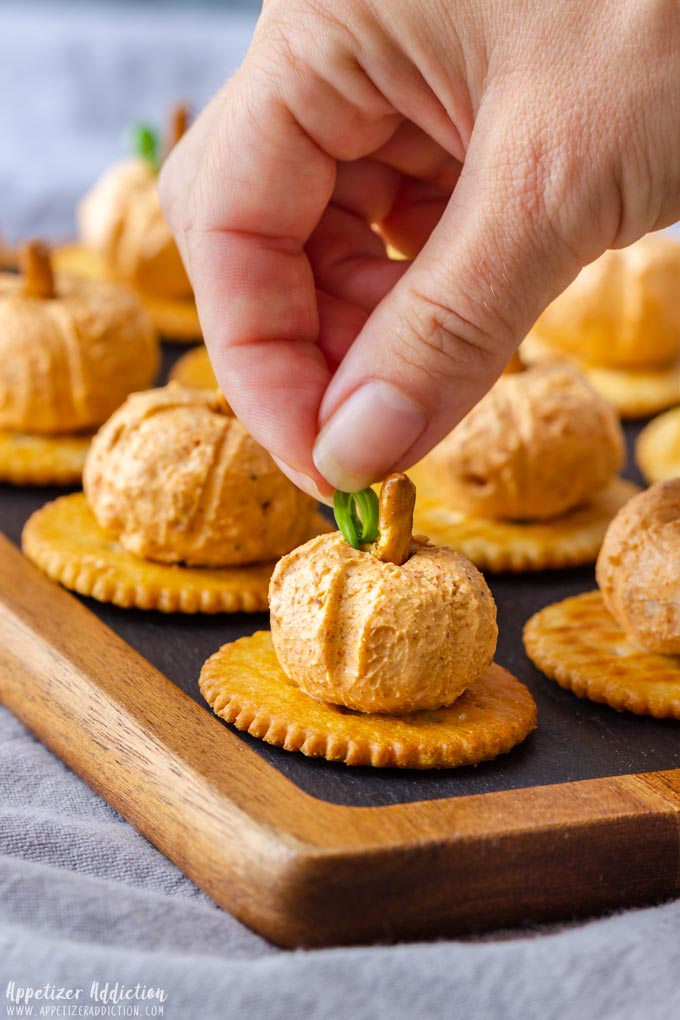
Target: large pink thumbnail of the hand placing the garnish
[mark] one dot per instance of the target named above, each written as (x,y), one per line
(368,435)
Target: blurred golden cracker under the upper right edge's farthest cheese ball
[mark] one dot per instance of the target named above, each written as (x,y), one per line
(635,393)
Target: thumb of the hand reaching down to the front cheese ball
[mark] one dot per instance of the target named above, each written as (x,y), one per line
(443,335)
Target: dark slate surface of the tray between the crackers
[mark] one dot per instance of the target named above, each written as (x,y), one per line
(576,740)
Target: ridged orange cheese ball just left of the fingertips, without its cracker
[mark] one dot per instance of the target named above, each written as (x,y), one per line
(180,481)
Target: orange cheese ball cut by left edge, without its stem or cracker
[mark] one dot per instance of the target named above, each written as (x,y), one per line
(68,363)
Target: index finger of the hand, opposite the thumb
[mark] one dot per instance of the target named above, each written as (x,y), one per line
(260,189)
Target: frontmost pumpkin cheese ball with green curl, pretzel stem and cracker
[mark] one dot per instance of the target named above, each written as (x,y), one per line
(381,651)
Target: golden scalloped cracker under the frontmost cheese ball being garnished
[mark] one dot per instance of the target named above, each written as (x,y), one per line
(245,685)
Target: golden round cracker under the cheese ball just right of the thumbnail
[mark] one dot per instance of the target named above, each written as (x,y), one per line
(496,546)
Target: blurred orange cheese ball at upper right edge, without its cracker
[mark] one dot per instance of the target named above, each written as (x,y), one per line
(623,311)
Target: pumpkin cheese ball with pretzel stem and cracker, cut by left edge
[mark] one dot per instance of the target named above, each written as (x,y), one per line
(71,351)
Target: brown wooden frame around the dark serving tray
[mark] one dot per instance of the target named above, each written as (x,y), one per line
(299,871)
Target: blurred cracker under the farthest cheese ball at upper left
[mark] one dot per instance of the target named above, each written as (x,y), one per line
(176,320)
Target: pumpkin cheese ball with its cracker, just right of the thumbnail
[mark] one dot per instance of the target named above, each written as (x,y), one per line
(529,479)
